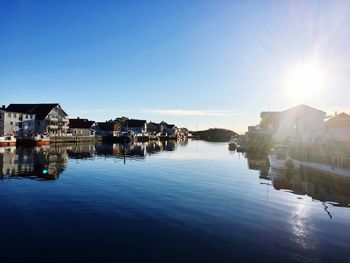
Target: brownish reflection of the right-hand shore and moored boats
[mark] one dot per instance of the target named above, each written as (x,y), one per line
(323,187)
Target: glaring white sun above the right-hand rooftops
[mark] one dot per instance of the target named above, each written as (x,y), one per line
(304,82)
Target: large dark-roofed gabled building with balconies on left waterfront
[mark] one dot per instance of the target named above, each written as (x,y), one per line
(49,117)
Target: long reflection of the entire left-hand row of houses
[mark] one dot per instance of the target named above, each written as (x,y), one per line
(47,162)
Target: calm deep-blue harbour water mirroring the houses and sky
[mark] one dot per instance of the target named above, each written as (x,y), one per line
(166,202)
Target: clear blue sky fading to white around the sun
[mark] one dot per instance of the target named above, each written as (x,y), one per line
(199,64)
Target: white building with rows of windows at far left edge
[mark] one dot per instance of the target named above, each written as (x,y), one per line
(15,123)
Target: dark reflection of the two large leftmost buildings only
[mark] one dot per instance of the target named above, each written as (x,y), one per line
(35,163)
